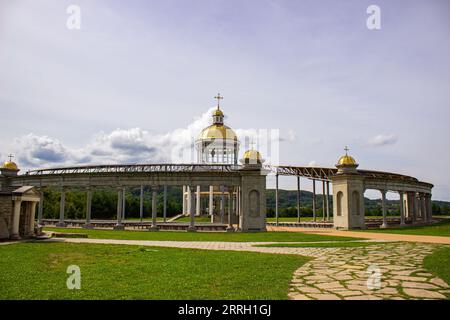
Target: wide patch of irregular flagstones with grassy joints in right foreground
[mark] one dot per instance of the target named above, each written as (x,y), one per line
(381,271)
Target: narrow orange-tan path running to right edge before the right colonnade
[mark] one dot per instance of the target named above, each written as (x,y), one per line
(367,235)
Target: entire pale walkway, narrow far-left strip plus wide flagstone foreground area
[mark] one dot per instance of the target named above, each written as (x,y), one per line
(337,273)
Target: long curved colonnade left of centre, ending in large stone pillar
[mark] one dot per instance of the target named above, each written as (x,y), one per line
(245,183)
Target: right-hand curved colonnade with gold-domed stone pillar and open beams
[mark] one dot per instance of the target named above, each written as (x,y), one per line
(349,185)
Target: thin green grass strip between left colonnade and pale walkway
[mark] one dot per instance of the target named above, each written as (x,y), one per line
(203,236)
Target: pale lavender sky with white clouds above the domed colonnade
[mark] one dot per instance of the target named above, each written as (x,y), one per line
(136,82)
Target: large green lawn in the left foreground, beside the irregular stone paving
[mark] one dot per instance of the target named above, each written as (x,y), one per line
(38,271)
